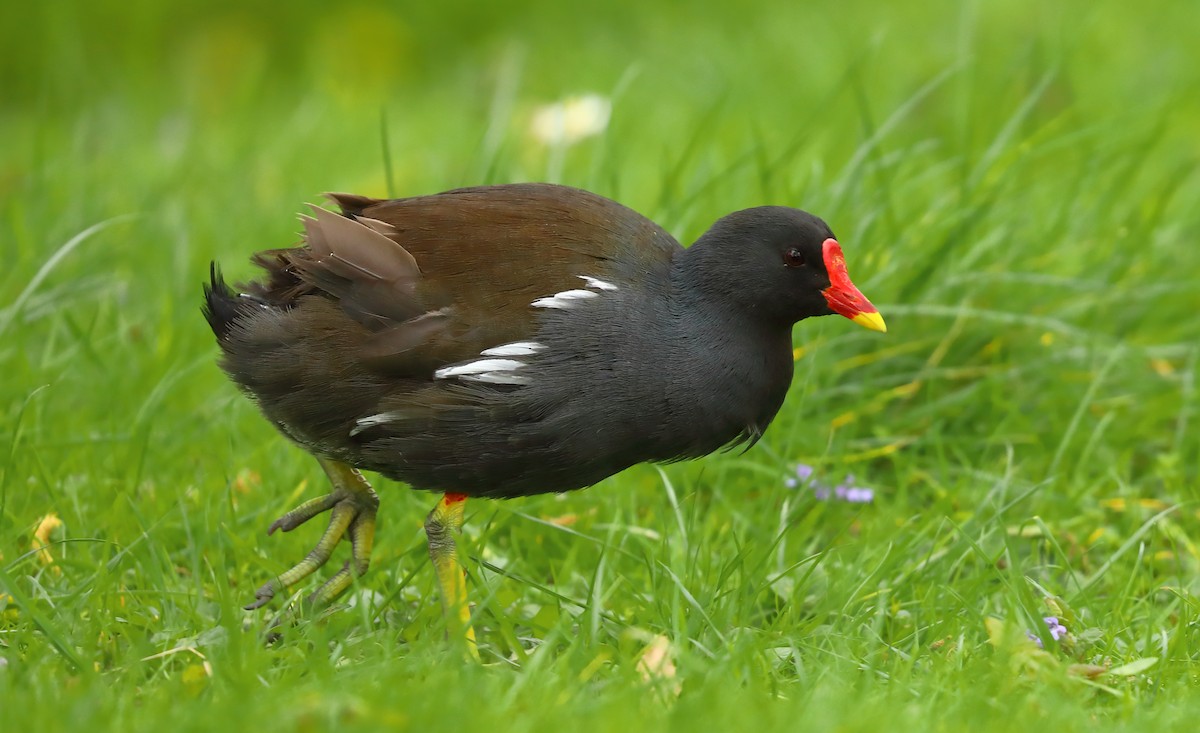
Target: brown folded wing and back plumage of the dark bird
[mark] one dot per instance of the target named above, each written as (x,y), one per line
(439,279)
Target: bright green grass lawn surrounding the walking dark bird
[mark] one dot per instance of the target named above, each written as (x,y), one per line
(1016,188)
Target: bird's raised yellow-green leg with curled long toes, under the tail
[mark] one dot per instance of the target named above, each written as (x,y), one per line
(352,507)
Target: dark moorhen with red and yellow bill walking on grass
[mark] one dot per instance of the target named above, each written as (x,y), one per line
(513,340)
